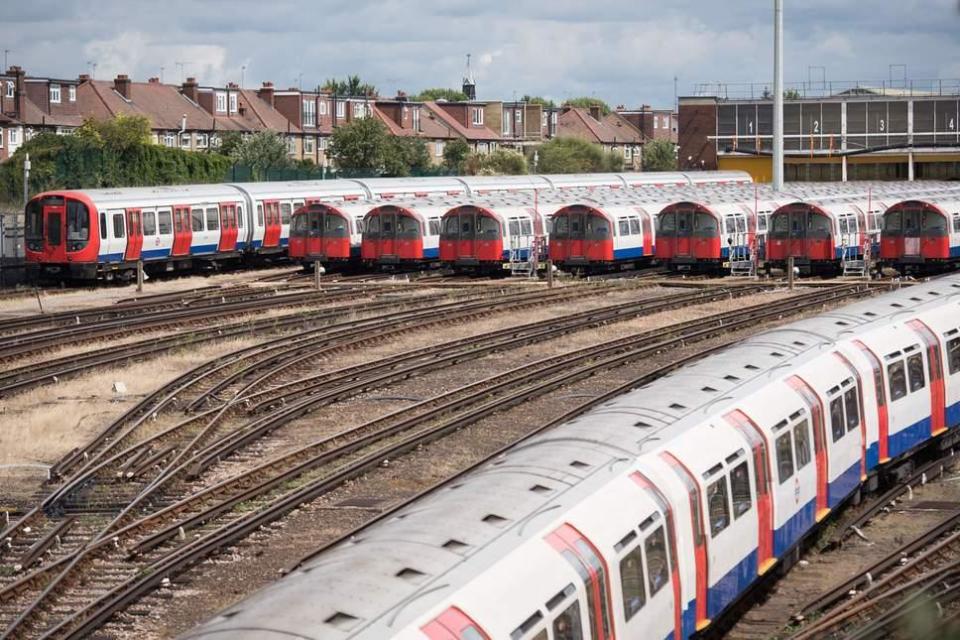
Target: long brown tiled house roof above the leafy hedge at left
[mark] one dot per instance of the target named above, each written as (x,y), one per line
(162,104)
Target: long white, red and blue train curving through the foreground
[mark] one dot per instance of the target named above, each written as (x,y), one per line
(650,515)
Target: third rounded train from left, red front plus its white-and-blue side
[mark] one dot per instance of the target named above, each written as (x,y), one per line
(482,237)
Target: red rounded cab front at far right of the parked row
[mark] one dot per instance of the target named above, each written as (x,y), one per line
(916,237)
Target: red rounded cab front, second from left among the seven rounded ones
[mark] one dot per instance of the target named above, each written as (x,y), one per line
(393,235)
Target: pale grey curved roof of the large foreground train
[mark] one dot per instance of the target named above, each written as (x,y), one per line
(361,588)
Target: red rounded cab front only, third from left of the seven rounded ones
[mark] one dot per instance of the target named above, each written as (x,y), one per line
(471,239)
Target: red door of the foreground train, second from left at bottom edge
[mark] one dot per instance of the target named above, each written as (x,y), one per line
(589,564)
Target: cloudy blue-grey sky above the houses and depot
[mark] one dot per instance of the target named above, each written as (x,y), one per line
(625,52)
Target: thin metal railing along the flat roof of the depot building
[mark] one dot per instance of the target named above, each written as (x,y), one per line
(829,88)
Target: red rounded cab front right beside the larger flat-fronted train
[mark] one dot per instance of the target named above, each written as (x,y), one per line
(320,232)
